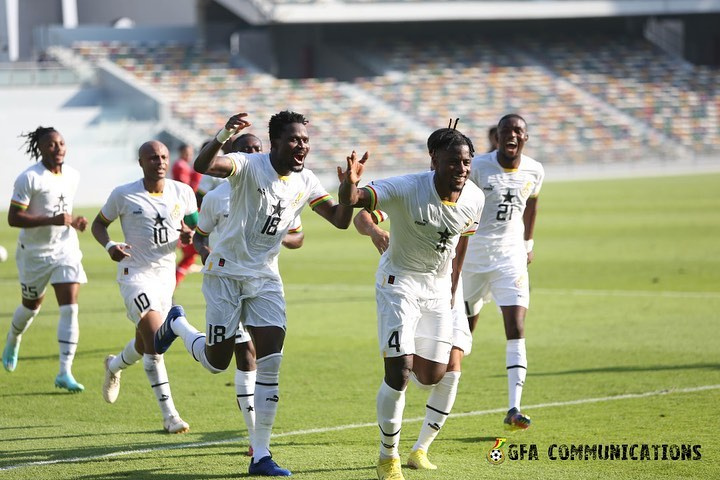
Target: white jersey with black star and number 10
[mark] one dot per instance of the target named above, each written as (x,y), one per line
(150,222)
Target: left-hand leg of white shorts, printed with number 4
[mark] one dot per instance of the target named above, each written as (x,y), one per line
(398,312)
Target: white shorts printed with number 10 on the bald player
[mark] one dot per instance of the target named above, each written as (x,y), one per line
(145,292)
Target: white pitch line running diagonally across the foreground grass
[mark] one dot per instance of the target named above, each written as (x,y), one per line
(582,401)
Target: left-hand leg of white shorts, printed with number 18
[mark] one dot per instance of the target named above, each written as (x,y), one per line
(223,306)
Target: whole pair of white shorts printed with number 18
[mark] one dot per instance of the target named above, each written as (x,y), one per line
(233,304)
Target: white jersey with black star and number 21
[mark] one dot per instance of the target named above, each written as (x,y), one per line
(501,229)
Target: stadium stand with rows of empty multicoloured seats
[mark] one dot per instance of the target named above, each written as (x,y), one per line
(596,100)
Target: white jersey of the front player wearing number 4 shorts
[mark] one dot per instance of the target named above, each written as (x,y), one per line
(424,229)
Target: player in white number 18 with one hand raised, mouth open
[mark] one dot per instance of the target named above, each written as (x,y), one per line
(242,284)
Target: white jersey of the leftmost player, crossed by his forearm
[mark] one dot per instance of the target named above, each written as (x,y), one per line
(38,191)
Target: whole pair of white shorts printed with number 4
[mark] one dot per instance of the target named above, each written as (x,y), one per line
(414,316)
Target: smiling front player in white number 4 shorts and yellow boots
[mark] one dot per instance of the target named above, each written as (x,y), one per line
(414,282)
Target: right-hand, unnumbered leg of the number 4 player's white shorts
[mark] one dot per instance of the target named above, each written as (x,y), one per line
(434,331)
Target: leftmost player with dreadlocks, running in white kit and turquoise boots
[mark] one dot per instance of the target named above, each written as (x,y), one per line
(48,248)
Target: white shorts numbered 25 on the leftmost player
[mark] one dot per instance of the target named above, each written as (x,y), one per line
(35,272)
